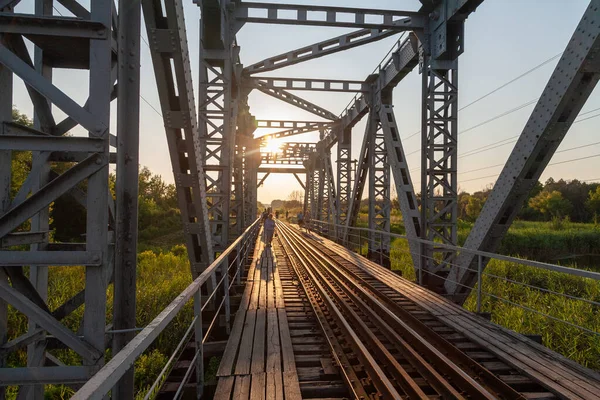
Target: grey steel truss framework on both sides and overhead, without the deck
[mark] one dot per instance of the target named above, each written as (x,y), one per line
(217,158)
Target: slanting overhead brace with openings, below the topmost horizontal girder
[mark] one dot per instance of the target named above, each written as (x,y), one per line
(316,50)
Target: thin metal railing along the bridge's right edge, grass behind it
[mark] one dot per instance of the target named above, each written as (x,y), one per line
(554,293)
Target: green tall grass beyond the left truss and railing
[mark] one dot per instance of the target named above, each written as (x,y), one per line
(160,278)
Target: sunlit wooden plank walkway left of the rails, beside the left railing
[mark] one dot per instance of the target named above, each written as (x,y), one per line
(258,362)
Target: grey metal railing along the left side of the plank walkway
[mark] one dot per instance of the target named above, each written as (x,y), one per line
(219,277)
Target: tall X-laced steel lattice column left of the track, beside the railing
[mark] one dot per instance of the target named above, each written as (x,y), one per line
(216,117)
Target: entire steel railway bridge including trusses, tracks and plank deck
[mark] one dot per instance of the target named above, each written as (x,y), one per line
(319,313)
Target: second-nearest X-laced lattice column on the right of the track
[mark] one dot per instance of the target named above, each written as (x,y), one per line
(379,193)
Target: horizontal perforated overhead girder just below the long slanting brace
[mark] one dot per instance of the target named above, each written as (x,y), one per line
(322,85)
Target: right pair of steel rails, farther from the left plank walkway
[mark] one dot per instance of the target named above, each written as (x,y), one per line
(437,349)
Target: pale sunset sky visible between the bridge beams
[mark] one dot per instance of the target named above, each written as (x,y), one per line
(503,39)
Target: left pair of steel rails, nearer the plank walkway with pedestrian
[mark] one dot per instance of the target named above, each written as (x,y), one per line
(380,380)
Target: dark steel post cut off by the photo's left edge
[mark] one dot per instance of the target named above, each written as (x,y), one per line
(6,82)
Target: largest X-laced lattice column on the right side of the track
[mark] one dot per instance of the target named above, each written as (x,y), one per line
(439,166)
